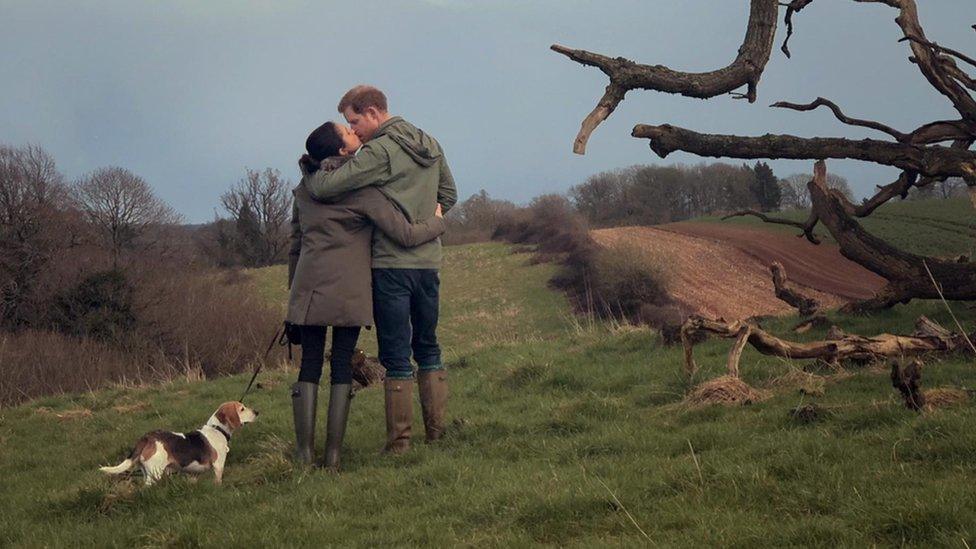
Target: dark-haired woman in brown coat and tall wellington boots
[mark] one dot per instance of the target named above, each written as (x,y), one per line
(329,281)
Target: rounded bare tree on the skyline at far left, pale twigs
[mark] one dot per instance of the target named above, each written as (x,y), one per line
(122,207)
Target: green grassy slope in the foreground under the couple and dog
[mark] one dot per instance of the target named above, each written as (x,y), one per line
(561,434)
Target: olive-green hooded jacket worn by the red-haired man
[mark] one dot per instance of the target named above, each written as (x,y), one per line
(409,167)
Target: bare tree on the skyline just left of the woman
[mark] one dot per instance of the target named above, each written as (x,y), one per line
(266,196)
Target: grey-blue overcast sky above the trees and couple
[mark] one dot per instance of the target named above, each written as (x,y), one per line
(187,94)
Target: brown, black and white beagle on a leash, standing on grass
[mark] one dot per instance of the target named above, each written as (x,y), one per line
(160,451)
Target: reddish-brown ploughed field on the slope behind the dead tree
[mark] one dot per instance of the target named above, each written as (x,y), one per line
(723,271)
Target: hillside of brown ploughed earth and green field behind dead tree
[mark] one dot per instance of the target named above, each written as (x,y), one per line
(721,268)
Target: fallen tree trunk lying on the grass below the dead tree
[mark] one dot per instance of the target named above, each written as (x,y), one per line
(928,337)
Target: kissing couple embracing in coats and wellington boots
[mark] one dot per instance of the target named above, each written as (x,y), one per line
(365,250)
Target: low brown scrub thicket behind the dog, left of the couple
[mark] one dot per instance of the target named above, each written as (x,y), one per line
(198,322)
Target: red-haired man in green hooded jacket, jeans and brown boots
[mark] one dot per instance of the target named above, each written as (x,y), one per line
(409,167)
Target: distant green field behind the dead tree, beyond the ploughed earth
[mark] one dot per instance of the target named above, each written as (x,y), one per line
(927,227)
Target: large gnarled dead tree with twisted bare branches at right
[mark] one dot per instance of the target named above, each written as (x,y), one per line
(920,154)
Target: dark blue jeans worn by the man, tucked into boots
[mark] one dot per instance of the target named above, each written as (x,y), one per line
(405,308)
